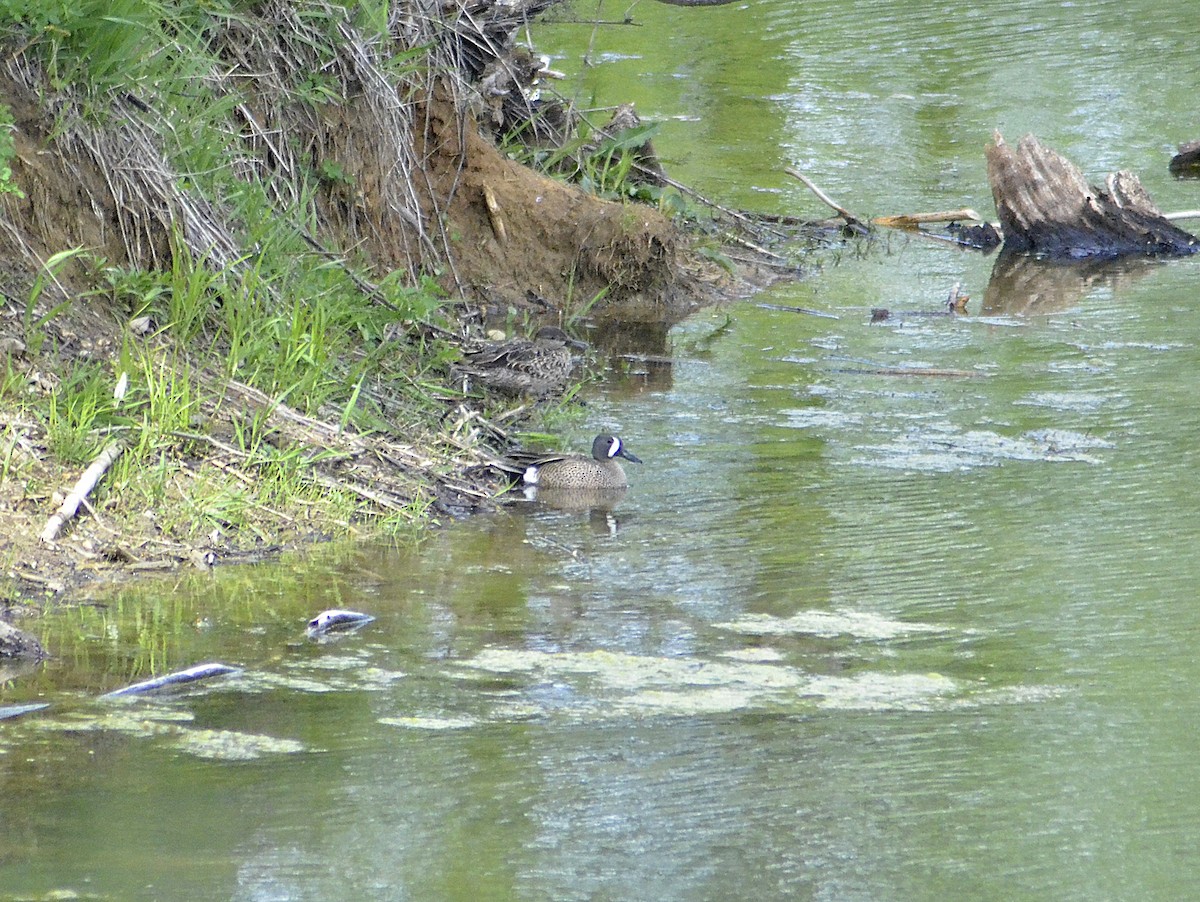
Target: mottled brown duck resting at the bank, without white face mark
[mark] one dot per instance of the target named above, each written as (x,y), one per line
(523,366)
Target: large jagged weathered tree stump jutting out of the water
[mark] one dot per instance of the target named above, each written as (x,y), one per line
(1048,208)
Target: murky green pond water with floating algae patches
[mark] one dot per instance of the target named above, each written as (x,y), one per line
(853,635)
